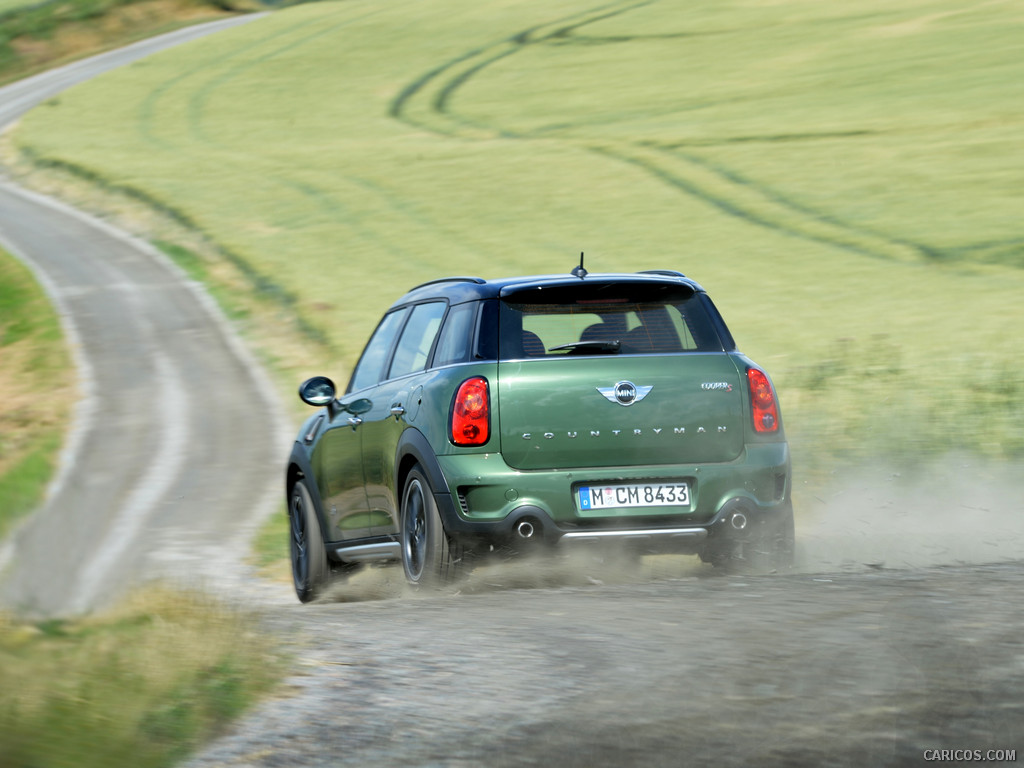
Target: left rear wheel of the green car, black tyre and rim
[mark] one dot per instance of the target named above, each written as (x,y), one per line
(430,558)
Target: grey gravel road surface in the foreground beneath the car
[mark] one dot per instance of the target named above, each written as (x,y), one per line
(867,668)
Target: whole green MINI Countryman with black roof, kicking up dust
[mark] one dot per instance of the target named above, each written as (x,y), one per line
(504,416)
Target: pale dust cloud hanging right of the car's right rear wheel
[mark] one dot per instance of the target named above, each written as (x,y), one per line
(950,513)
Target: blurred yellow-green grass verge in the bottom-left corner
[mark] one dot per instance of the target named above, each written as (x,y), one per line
(140,687)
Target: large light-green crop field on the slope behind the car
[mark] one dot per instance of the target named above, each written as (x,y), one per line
(845,179)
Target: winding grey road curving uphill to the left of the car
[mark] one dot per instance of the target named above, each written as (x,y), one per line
(179,440)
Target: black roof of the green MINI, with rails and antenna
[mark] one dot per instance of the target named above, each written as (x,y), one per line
(459,290)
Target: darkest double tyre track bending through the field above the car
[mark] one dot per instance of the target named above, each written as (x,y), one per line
(428,104)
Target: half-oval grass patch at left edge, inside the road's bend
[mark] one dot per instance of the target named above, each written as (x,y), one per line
(37,392)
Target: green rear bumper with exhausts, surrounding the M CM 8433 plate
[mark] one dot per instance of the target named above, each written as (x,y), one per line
(490,506)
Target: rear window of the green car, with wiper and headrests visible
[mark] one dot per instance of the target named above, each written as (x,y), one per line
(606,319)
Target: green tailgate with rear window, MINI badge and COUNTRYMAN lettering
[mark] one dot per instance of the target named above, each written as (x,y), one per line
(615,375)
